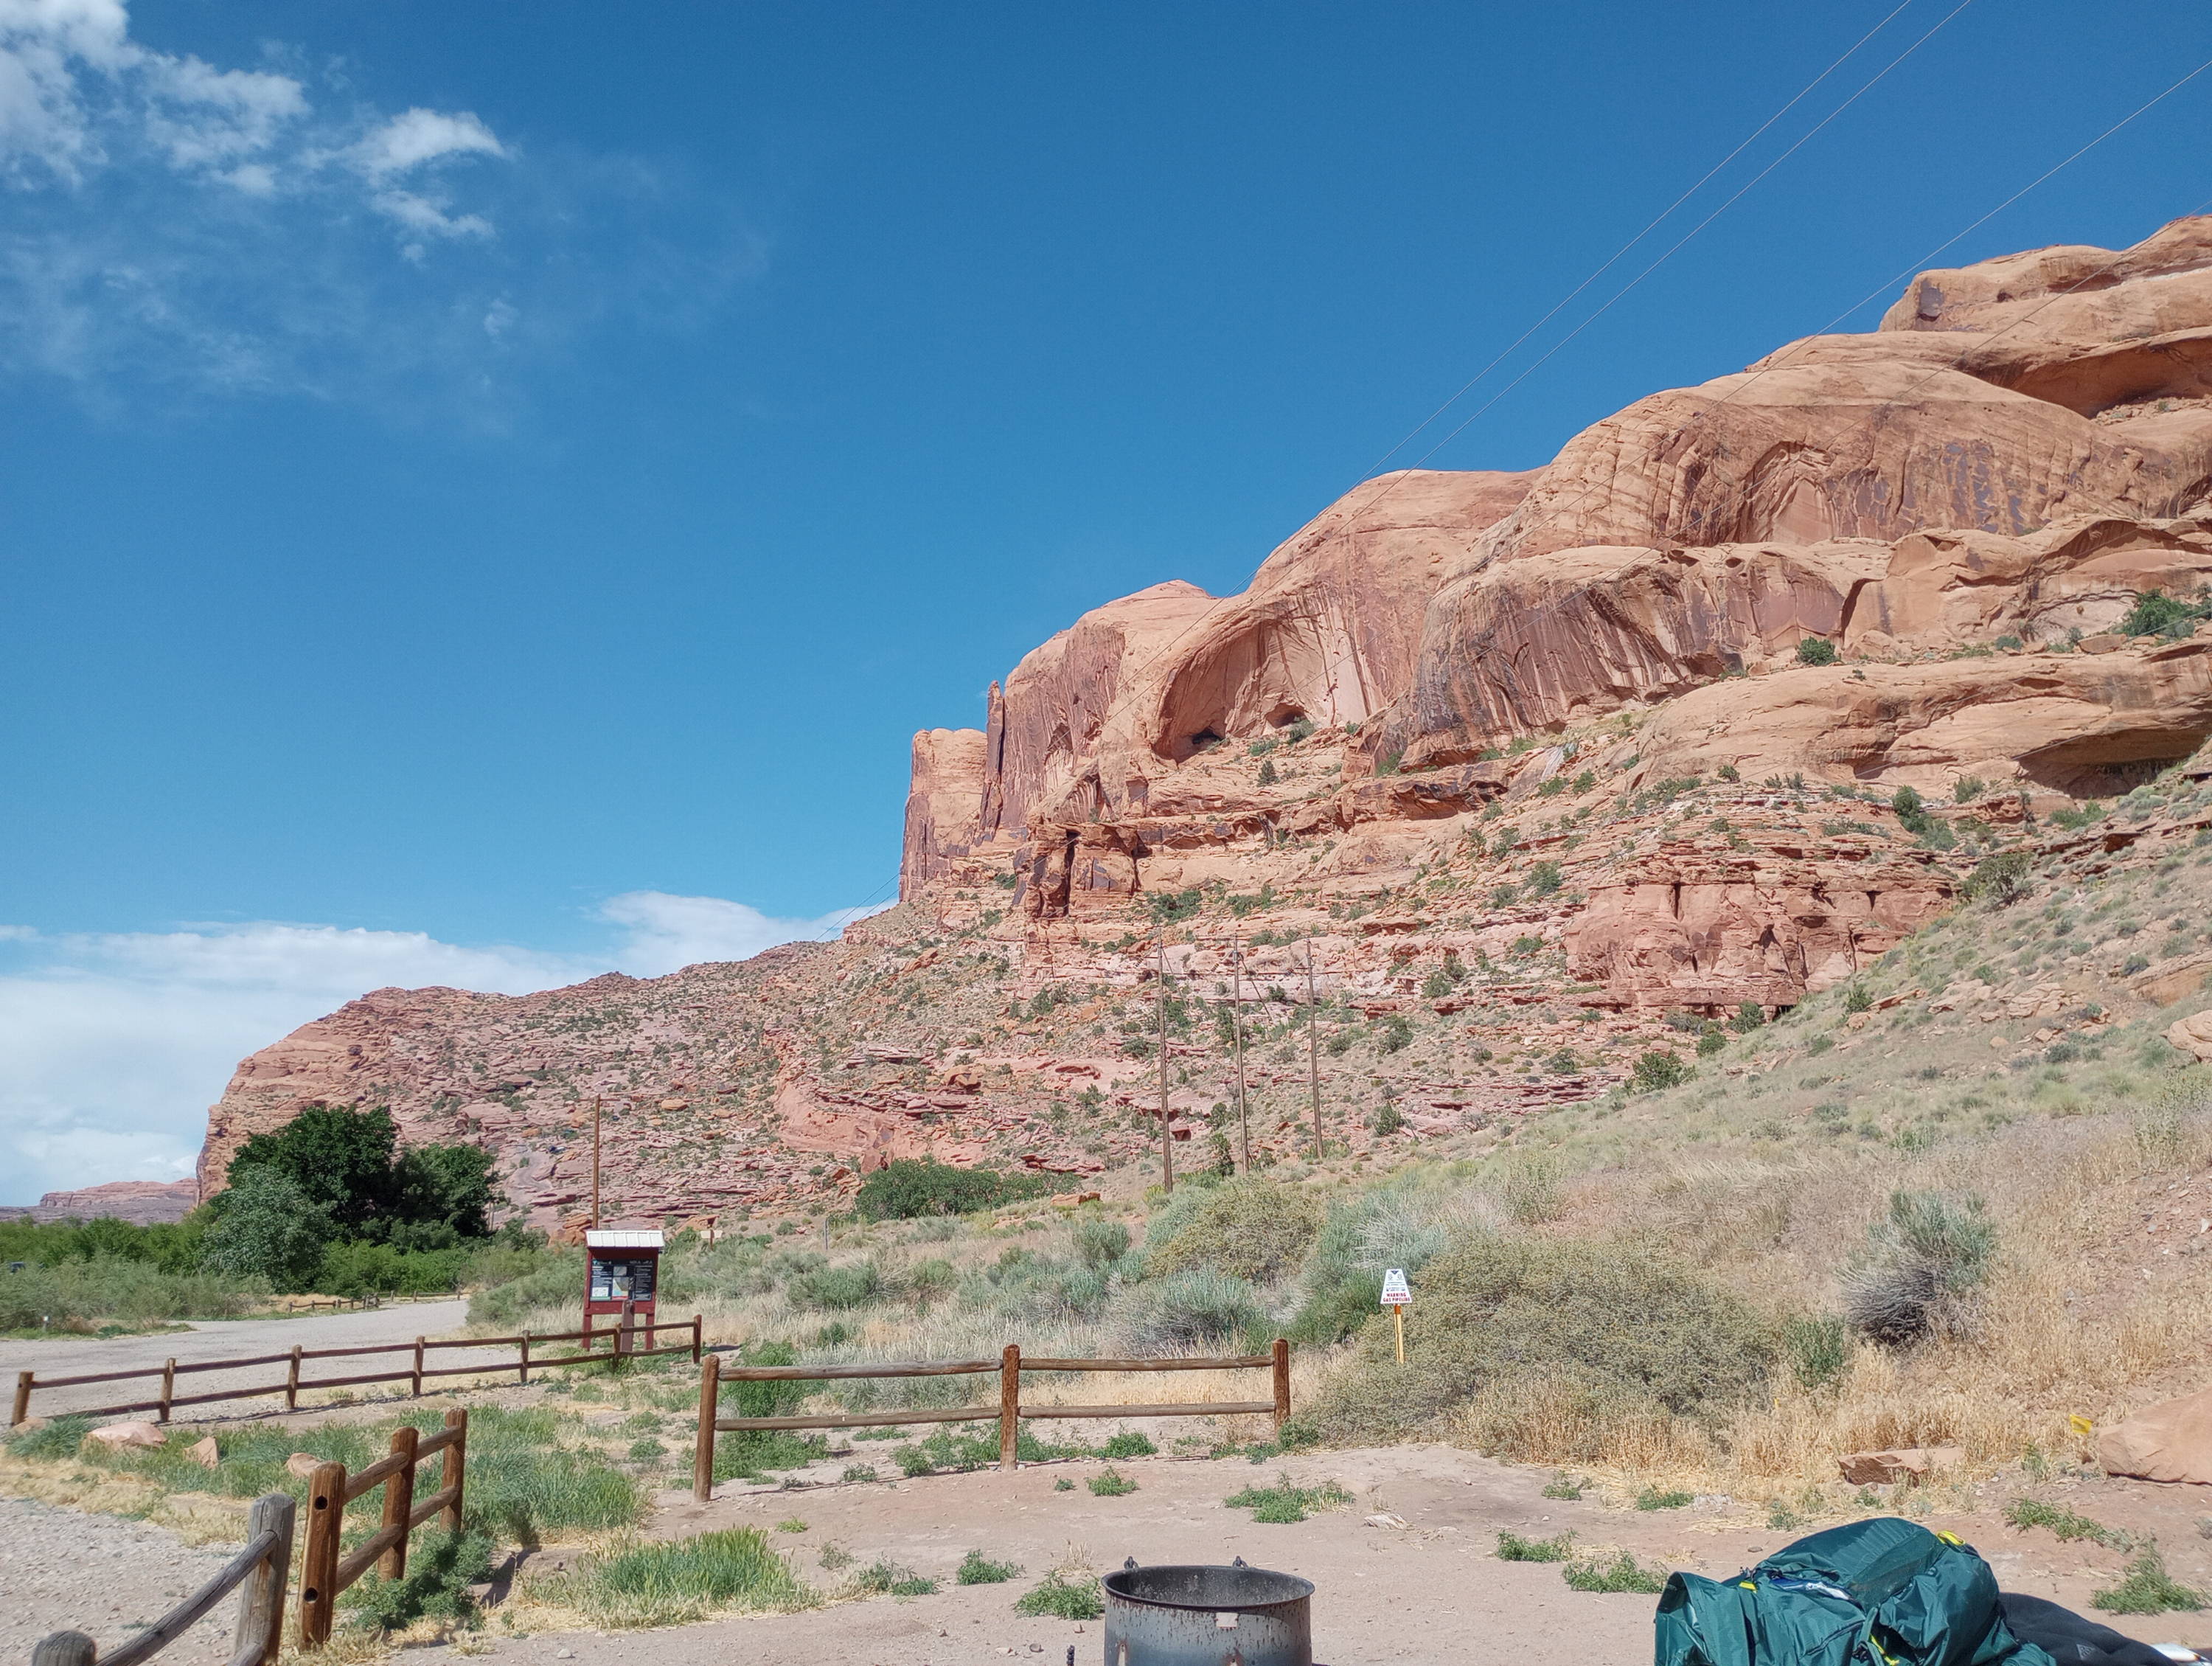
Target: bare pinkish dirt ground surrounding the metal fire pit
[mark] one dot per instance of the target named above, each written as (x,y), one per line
(1426,1592)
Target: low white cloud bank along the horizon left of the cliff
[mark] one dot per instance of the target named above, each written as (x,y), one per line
(114,1045)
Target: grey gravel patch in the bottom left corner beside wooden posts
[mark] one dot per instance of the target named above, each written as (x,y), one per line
(103,1576)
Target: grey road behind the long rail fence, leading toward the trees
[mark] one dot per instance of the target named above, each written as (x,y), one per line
(233,1340)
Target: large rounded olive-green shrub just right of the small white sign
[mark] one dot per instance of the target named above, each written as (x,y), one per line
(1552,1331)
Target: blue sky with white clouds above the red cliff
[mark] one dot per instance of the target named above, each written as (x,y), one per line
(490,492)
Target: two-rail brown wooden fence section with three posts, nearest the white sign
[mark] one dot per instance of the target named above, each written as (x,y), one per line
(1008,1413)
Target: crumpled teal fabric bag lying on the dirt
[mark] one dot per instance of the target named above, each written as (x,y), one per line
(1872,1594)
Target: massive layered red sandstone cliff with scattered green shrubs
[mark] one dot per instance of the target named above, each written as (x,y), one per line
(1483,789)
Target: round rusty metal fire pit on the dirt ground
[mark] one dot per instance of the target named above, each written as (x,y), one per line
(1185,1614)
